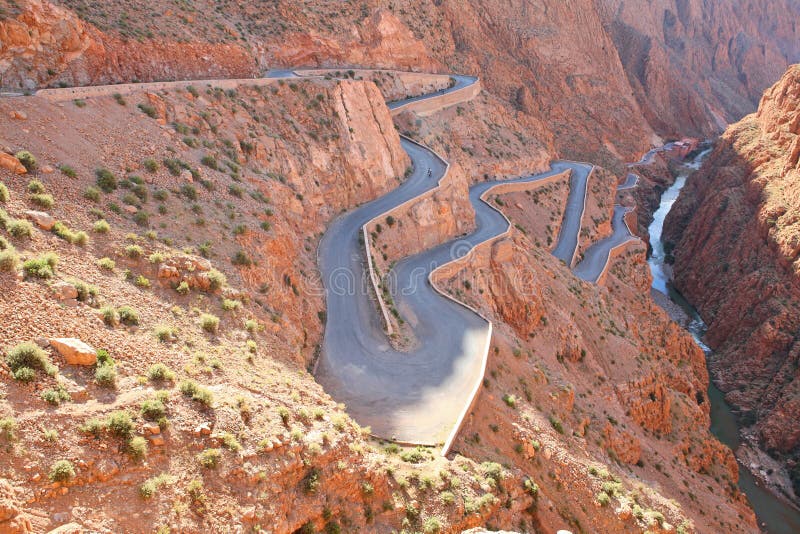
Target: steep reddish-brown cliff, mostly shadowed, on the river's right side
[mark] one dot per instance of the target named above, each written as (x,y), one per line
(737,239)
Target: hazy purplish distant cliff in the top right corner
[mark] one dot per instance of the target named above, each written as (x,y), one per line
(694,66)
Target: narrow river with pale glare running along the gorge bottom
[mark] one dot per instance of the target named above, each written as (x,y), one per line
(775,516)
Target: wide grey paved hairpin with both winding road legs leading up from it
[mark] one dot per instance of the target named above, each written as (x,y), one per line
(411,396)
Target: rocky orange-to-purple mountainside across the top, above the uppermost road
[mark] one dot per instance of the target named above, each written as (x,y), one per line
(602,76)
